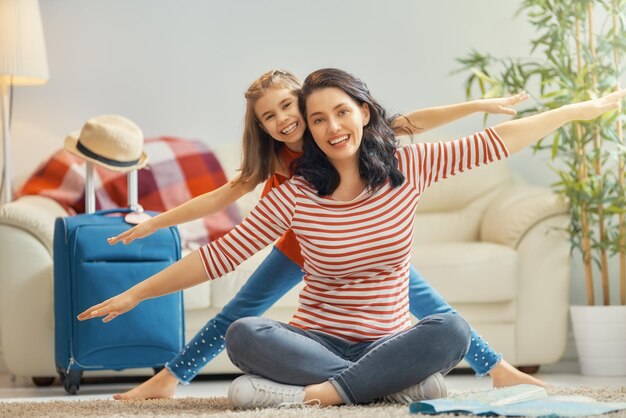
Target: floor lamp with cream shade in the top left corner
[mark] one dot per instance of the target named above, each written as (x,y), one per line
(22,62)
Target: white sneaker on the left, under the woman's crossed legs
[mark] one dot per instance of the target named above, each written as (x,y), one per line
(250,391)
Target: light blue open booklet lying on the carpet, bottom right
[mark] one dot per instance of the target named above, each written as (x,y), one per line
(519,400)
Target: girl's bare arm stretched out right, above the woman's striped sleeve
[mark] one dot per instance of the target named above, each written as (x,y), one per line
(423,120)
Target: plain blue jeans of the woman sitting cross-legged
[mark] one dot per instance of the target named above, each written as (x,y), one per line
(361,371)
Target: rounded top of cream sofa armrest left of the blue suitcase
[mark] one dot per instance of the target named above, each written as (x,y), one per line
(35,215)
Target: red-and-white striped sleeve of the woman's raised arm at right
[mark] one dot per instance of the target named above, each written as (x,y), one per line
(427,163)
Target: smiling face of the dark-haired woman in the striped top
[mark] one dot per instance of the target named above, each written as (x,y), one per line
(336,122)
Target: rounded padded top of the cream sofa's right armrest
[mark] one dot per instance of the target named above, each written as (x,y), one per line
(515,211)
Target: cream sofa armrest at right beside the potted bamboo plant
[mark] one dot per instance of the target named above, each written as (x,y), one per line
(533,221)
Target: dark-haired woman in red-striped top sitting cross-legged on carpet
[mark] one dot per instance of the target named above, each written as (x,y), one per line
(352,209)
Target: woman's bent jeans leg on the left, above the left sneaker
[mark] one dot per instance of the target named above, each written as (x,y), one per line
(284,353)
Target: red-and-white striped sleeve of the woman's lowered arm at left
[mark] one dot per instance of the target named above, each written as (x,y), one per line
(266,222)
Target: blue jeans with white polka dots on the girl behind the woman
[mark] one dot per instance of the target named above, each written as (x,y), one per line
(275,277)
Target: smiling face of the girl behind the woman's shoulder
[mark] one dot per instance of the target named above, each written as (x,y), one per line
(278,112)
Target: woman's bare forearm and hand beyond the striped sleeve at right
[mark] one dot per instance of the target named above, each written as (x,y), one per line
(517,134)
